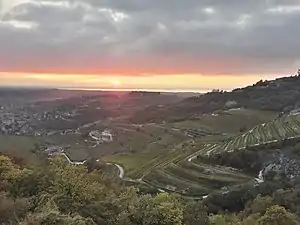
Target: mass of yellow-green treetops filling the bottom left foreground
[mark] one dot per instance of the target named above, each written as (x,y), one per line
(60,193)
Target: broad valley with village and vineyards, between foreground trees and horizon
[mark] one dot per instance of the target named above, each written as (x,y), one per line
(194,154)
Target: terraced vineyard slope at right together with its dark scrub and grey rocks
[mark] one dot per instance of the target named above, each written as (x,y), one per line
(199,167)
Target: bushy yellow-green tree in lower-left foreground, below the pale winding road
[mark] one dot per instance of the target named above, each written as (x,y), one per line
(73,187)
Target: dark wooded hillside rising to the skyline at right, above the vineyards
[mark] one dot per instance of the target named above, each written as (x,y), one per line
(278,95)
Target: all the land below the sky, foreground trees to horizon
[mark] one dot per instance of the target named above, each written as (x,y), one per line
(170,159)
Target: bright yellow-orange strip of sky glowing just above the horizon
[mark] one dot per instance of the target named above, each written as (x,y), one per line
(183,82)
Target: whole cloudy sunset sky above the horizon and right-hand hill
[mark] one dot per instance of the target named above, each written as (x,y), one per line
(147,44)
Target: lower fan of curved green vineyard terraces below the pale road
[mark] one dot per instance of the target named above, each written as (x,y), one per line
(194,178)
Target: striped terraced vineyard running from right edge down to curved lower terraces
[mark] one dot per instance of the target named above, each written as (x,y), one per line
(184,173)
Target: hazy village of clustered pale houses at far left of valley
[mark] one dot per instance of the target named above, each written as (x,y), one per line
(33,120)
